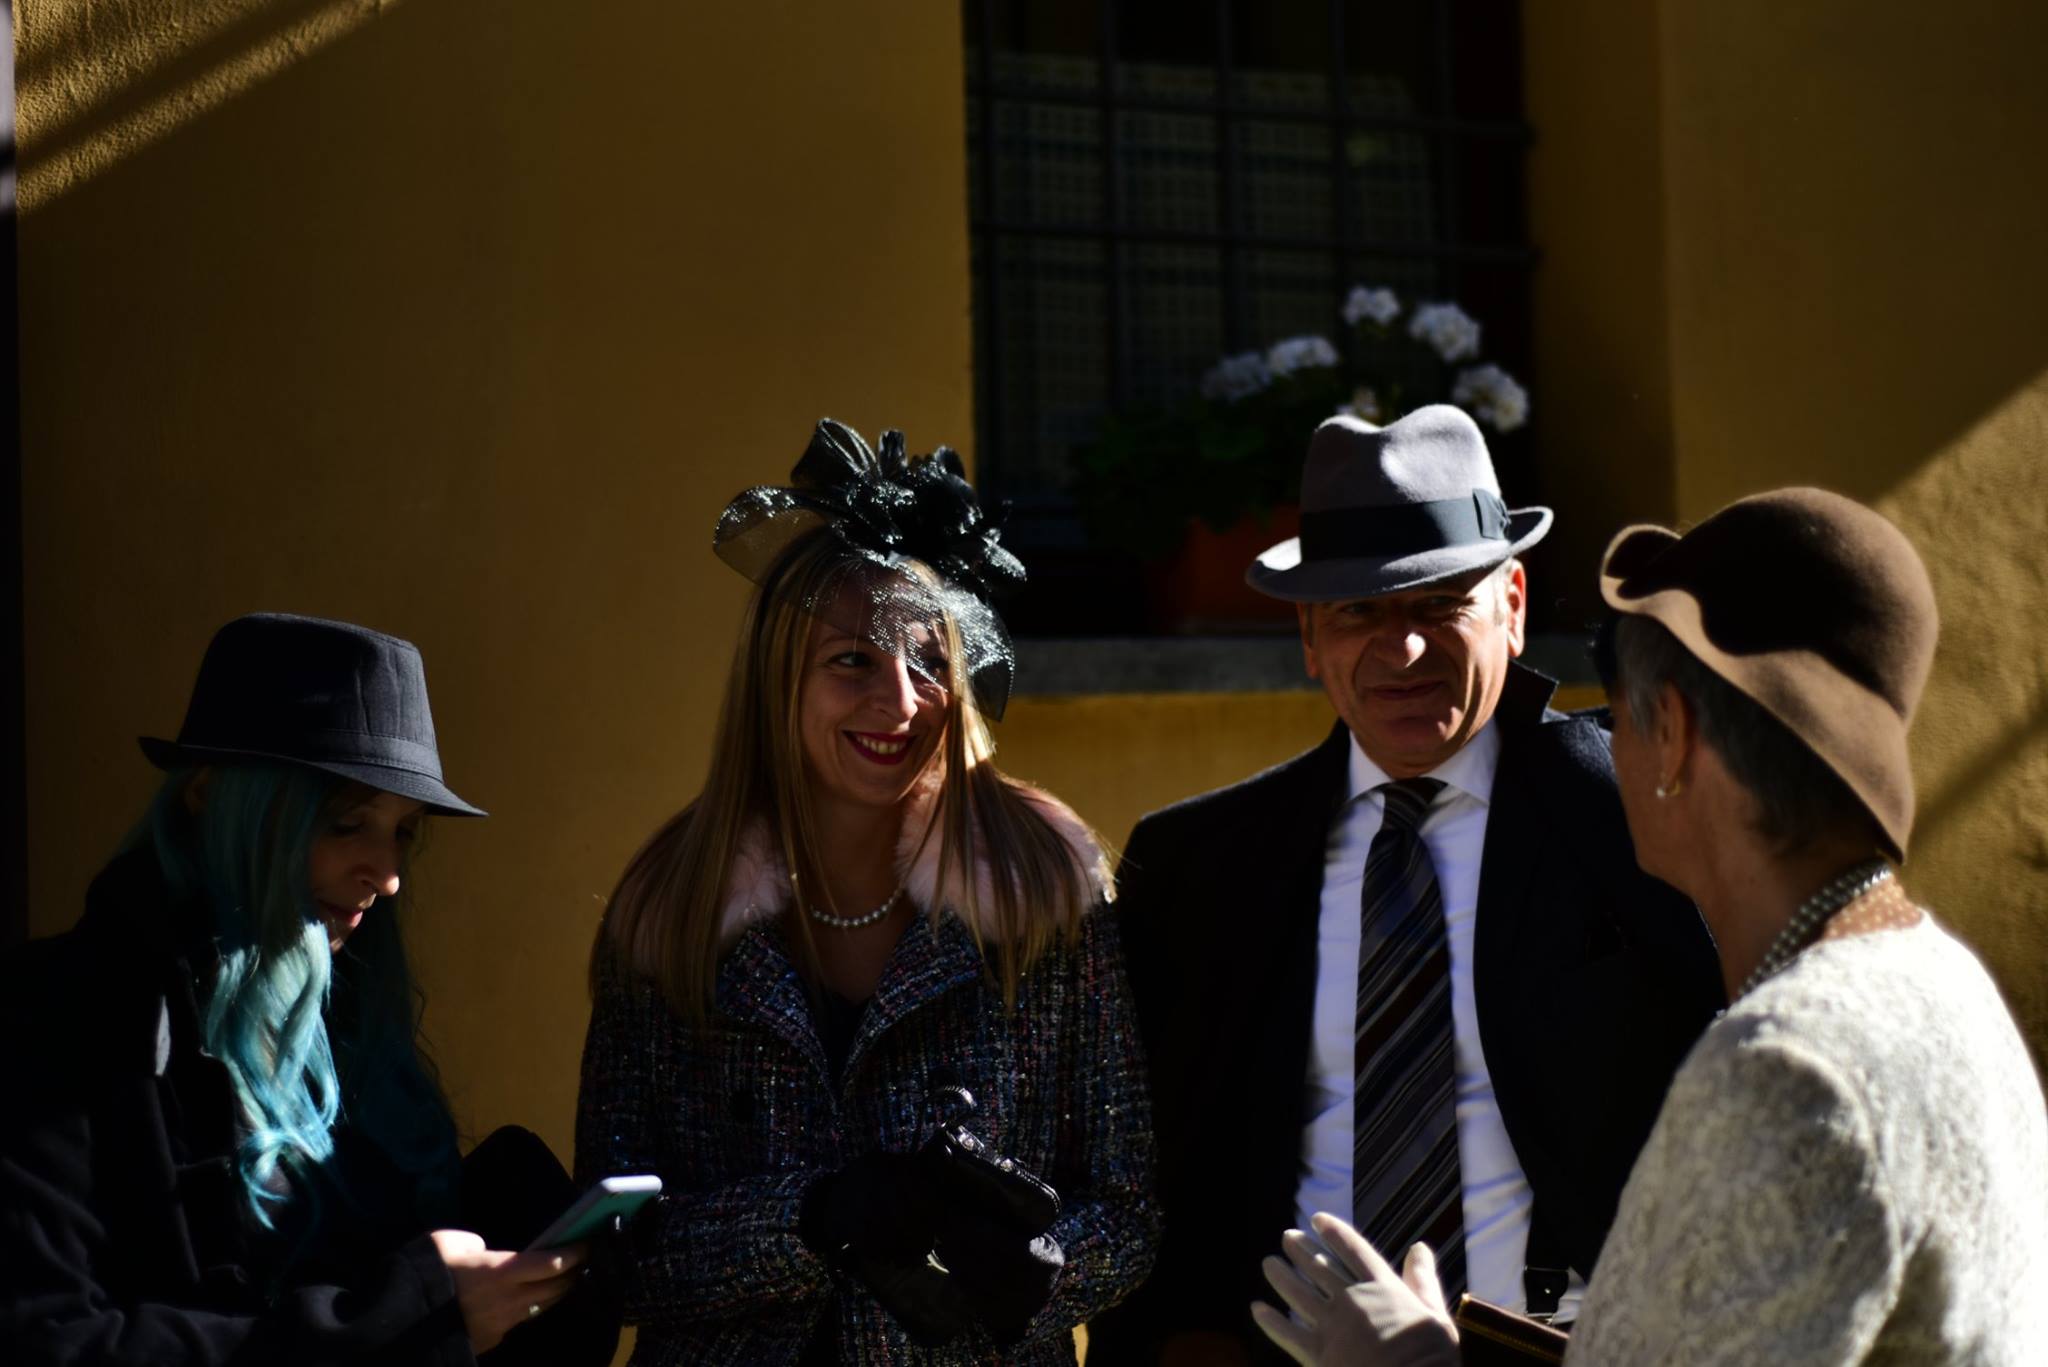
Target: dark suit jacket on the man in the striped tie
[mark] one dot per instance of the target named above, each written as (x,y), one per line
(1590,981)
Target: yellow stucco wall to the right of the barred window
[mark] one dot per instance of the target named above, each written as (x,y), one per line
(1852,288)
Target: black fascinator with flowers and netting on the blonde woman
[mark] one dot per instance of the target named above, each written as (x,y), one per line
(892,513)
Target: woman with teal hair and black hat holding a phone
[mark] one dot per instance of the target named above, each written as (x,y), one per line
(220,1141)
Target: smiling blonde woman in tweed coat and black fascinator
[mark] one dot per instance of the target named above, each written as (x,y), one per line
(859,936)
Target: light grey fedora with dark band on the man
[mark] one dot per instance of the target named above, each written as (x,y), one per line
(1396,507)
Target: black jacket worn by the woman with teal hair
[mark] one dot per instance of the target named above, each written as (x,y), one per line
(124,1229)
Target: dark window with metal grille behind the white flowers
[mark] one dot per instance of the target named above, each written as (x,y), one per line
(1156,185)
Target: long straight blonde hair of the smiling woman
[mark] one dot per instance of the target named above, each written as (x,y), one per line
(665,919)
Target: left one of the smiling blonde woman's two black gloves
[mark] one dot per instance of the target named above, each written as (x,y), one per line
(876,1220)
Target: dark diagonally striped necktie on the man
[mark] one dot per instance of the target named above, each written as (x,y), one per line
(1406,1085)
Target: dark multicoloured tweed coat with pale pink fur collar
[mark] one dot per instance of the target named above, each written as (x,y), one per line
(742,1118)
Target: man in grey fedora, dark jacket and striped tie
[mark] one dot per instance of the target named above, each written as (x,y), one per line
(1412,977)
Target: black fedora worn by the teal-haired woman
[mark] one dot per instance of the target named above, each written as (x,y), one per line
(321,694)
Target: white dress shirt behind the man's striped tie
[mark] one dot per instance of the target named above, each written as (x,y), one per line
(1496,1194)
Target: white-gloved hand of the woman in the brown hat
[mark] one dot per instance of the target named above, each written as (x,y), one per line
(1353,1309)
